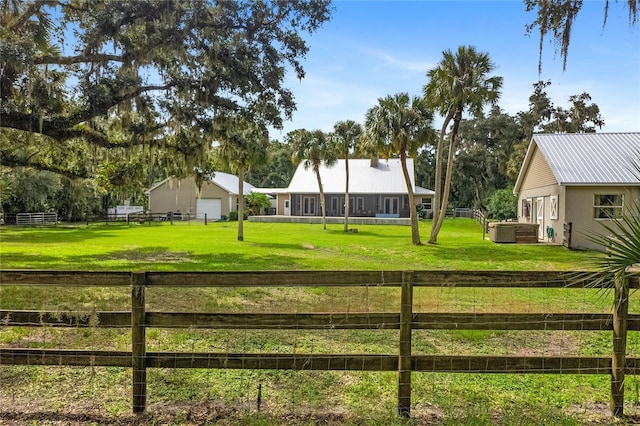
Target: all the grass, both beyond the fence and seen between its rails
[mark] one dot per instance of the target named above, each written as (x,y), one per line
(299,397)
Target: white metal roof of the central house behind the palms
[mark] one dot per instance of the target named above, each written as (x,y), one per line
(385,178)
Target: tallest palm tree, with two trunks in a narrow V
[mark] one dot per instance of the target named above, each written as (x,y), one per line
(458,83)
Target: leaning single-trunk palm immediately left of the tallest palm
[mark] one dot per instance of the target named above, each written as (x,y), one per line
(400,125)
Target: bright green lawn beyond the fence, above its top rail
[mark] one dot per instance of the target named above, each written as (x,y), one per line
(196,247)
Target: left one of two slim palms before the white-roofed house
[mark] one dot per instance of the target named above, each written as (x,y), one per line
(313,149)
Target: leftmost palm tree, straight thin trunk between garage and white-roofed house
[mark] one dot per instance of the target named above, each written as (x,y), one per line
(243,144)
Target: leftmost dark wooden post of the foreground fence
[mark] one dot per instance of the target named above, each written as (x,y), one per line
(138,344)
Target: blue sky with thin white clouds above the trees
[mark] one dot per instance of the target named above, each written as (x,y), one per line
(371,49)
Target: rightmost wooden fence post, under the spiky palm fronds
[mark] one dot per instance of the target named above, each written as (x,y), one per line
(618,361)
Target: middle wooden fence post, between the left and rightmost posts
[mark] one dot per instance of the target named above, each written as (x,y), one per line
(404,360)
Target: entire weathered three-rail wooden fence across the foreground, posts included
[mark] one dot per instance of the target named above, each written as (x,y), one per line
(404,362)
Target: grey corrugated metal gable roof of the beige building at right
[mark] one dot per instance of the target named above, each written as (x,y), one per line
(587,158)
